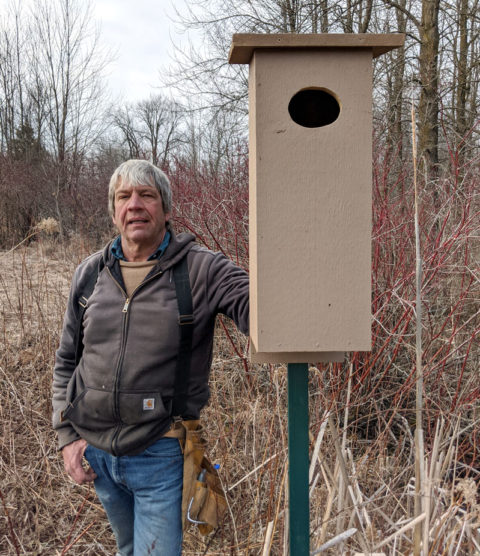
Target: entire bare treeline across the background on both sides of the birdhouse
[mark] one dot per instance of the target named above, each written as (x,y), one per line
(61,136)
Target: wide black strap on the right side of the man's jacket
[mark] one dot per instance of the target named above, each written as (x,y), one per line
(185,321)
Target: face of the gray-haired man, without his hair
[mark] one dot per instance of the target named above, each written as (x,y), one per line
(139,215)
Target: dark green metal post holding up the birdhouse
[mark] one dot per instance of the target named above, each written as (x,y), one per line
(298,459)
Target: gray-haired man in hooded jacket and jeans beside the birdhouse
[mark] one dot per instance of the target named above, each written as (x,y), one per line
(115,406)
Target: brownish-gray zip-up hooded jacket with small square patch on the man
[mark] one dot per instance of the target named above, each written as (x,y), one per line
(119,396)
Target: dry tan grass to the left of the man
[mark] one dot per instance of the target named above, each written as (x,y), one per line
(39,505)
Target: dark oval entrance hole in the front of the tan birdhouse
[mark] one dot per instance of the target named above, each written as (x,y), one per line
(314,107)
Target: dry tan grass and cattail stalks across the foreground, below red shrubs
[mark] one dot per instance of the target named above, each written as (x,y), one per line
(355,483)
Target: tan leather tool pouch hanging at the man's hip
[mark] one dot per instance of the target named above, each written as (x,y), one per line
(203,500)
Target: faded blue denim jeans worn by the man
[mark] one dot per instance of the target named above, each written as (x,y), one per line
(142,496)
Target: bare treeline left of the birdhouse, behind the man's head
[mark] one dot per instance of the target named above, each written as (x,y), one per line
(61,136)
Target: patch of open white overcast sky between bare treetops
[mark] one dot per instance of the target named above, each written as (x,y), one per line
(141,33)
